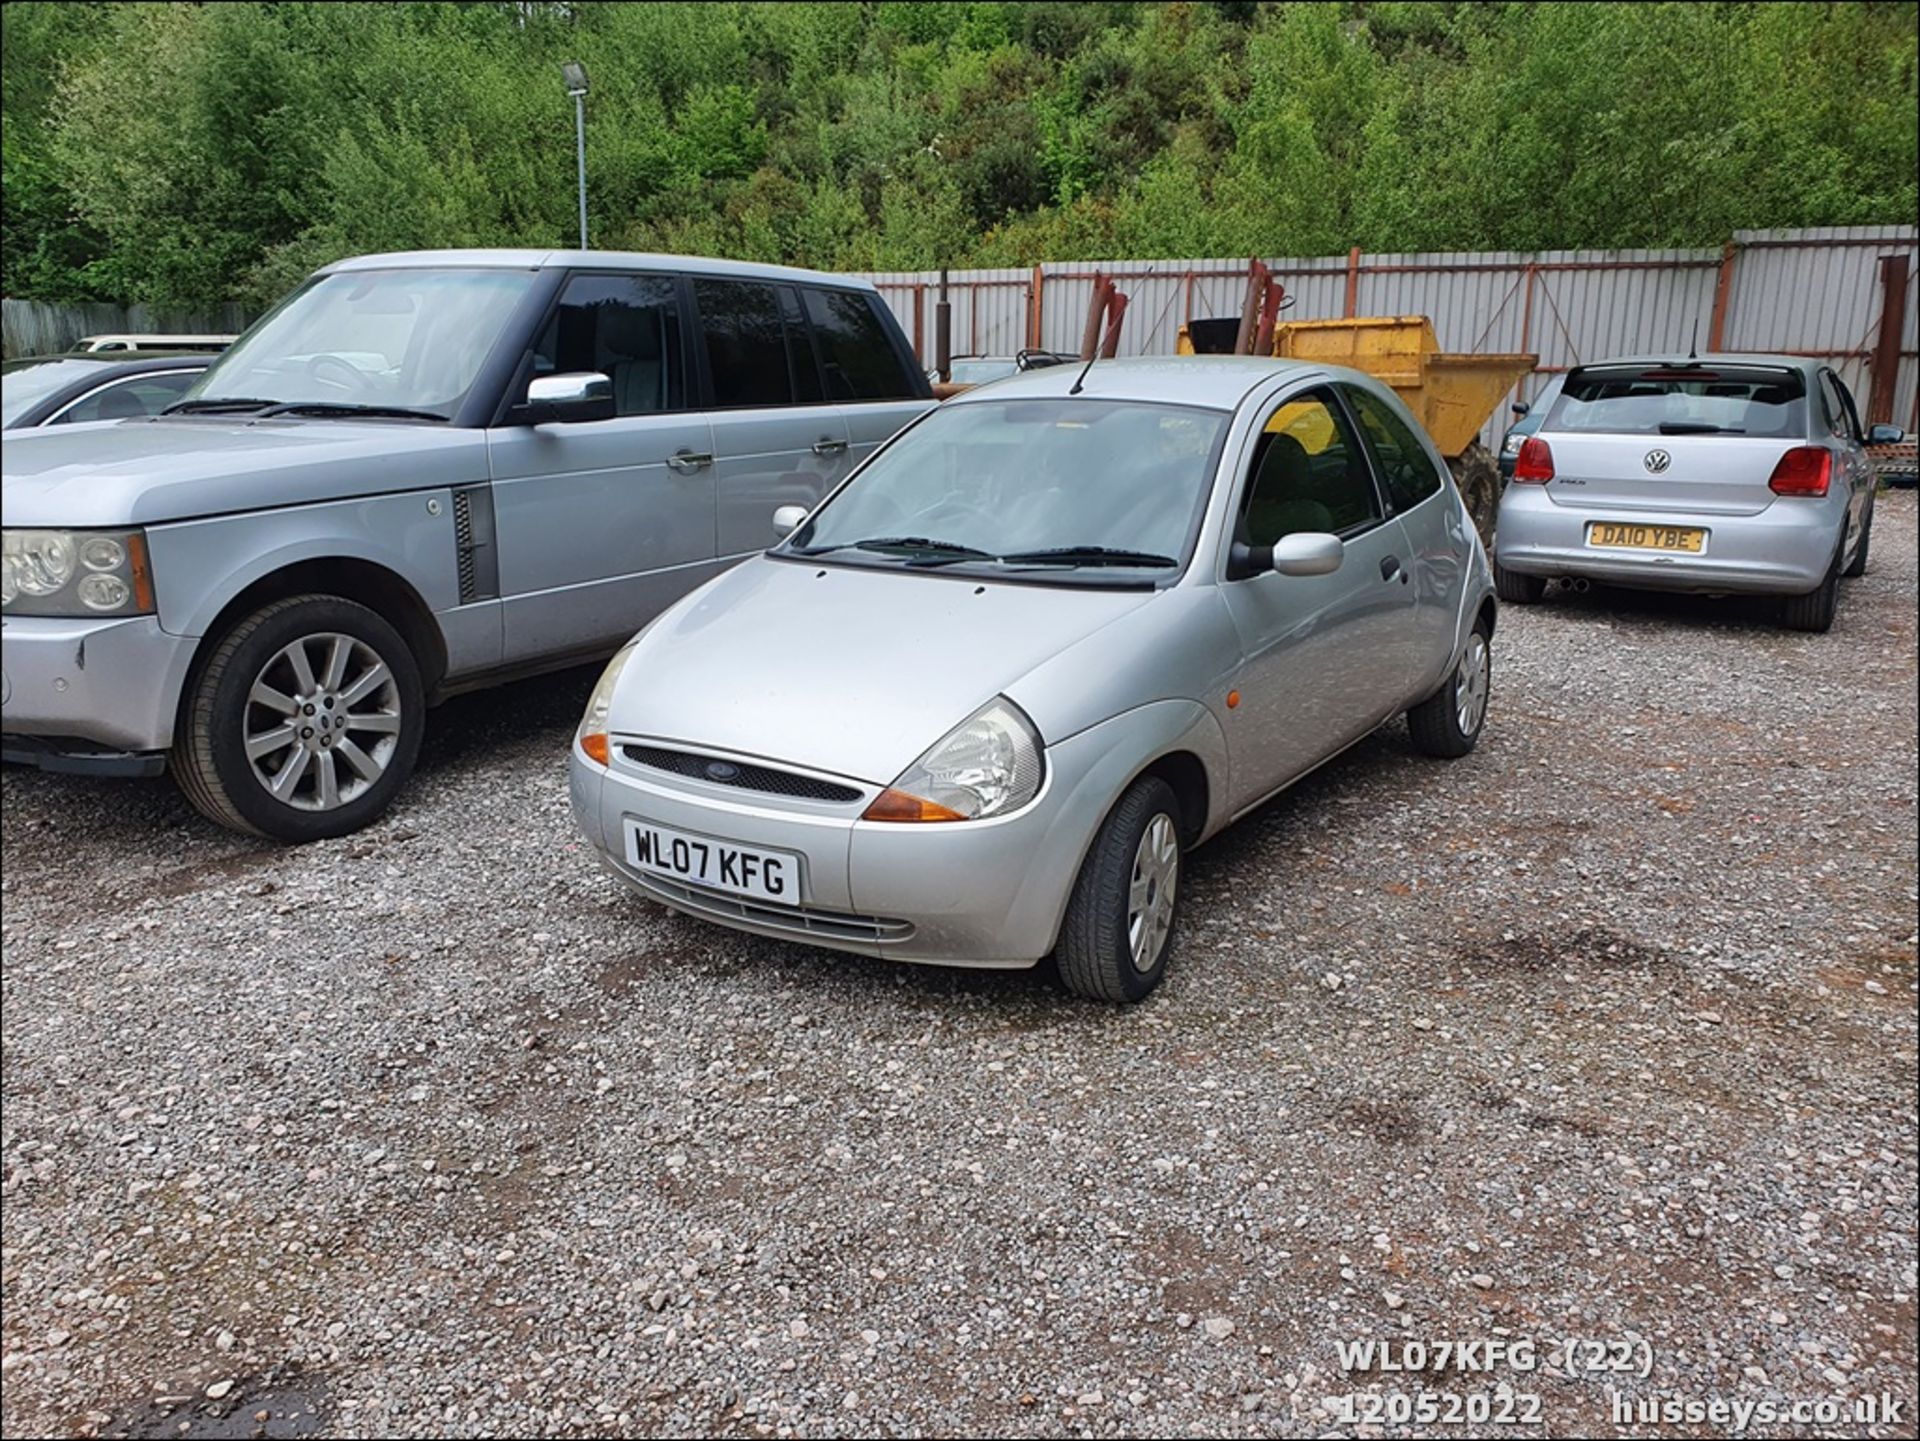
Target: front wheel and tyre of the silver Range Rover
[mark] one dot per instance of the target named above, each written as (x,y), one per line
(304,720)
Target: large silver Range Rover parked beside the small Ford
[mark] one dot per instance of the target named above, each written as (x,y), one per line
(418,475)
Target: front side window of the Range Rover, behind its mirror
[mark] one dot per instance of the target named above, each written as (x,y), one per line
(629,329)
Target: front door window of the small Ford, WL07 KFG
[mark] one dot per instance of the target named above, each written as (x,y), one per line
(1308,475)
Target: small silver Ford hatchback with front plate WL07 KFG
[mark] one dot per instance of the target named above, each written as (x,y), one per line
(1059,632)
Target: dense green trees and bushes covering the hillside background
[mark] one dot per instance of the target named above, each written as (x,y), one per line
(183,154)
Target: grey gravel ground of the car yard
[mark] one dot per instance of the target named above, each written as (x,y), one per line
(1606,1031)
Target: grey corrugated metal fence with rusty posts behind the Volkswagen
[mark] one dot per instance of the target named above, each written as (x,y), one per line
(1810,293)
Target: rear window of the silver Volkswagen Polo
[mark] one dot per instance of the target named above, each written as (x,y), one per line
(1683,400)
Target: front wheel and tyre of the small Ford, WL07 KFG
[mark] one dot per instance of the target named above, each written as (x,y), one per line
(1120,918)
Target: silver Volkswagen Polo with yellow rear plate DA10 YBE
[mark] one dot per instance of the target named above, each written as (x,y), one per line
(1717,475)
